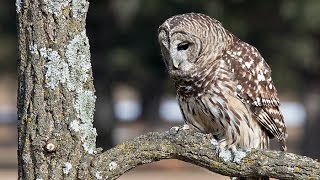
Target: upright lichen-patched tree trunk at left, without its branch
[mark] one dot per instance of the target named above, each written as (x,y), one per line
(56,94)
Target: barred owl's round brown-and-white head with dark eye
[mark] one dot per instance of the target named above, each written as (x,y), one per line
(189,40)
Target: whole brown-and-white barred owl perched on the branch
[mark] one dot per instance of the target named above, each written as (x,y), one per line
(223,84)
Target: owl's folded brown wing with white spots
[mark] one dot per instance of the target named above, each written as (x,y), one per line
(255,88)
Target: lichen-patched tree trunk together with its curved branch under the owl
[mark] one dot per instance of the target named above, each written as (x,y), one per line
(56,100)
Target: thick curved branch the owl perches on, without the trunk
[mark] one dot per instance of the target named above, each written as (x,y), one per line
(196,148)
